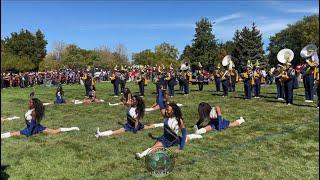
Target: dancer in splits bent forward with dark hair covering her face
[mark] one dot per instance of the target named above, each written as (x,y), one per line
(216,121)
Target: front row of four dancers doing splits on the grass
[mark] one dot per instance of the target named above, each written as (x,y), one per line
(210,119)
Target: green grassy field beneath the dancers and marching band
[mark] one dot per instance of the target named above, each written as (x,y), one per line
(276,142)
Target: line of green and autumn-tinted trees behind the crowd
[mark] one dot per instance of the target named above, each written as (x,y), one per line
(25,51)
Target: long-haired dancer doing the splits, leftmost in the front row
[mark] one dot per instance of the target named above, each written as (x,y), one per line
(33,117)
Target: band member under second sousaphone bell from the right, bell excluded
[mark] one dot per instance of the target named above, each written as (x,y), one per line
(288,83)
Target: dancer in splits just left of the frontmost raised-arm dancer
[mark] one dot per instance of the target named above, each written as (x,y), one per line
(134,115)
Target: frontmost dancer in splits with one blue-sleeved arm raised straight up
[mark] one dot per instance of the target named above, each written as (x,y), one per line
(173,122)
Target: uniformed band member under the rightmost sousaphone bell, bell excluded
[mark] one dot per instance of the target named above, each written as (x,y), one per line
(308,74)
